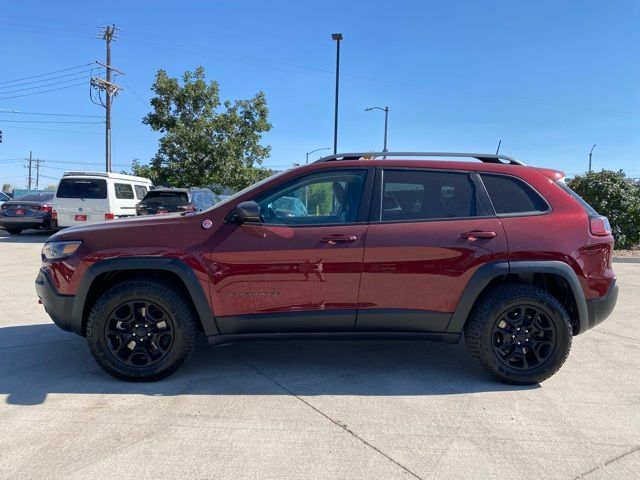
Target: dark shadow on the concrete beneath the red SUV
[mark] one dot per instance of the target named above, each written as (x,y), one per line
(38,360)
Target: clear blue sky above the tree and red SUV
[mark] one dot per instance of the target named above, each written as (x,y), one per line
(548,78)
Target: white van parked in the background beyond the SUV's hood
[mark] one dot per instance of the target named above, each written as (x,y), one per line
(91,197)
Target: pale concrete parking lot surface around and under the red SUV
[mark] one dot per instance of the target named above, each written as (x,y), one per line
(298,410)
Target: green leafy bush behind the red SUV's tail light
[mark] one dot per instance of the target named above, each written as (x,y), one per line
(614,195)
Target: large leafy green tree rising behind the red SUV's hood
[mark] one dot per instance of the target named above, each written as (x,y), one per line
(205,142)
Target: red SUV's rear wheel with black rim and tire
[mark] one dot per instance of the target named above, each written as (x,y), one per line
(519,333)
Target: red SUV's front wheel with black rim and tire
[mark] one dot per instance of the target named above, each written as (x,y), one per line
(152,314)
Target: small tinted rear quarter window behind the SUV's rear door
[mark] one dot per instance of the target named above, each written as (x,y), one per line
(512,196)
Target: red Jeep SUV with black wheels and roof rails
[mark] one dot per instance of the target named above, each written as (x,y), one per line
(503,253)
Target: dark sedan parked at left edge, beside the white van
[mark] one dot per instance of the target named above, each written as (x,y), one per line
(27,211)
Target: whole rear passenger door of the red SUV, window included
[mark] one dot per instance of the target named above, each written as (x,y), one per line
(430,232)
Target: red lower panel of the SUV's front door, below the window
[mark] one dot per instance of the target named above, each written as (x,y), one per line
(277,278)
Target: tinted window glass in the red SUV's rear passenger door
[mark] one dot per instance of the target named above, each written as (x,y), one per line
(427,195)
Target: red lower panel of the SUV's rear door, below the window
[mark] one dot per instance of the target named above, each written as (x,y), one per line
(421,269)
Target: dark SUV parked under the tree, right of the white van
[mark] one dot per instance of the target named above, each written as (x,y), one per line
(167,200)
